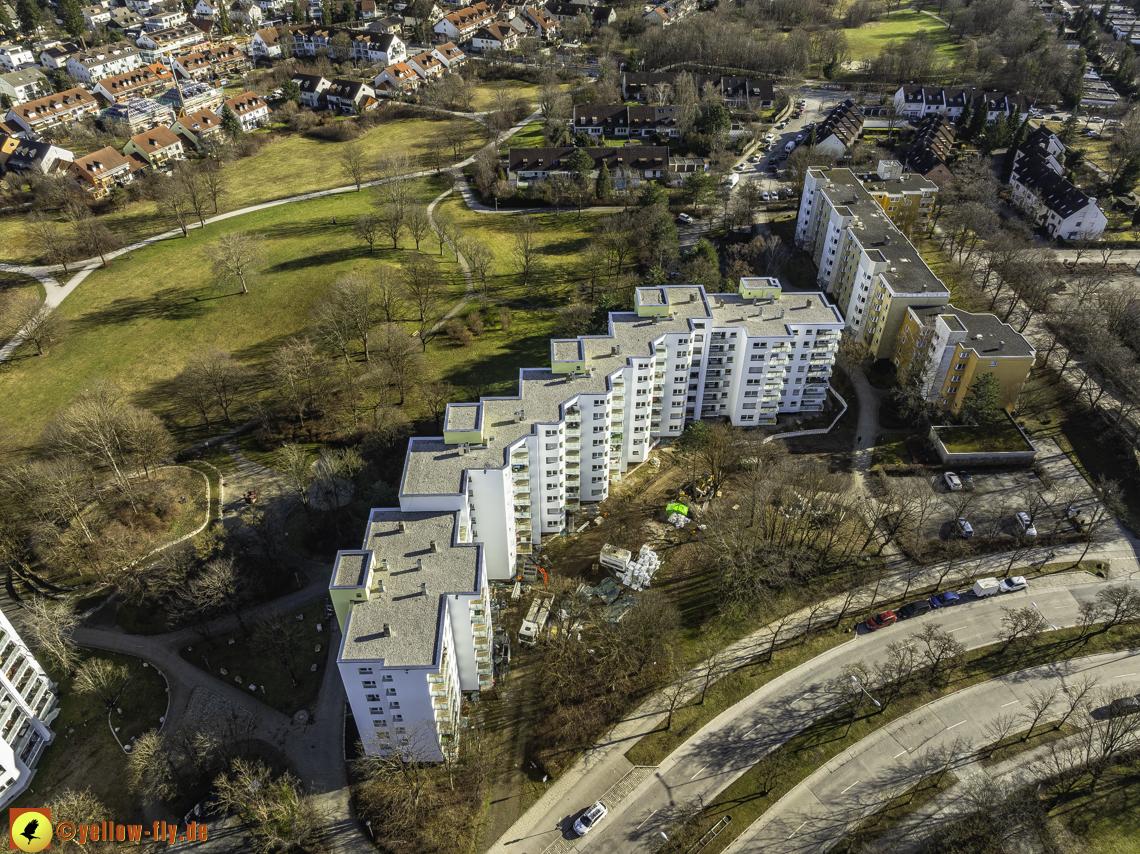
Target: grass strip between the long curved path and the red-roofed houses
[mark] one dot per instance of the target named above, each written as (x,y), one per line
(287,166)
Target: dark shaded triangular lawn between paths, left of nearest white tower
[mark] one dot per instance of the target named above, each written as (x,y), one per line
(241,660)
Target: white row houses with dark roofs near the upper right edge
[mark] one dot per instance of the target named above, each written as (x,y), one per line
(1043,191)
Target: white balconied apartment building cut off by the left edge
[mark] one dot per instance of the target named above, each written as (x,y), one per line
(28,705)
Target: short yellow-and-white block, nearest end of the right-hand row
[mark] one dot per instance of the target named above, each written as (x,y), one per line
(942,349)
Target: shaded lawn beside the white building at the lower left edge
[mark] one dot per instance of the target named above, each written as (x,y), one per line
(85,753)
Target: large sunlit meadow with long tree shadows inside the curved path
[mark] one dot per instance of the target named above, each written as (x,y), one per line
(160,300)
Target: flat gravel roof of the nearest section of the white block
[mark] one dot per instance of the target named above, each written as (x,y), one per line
(401,627)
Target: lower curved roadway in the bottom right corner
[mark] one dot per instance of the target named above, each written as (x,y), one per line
(820,811)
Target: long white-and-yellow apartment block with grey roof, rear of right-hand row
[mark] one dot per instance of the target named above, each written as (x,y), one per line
(866,264)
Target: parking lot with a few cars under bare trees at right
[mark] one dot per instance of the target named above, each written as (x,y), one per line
(998,495)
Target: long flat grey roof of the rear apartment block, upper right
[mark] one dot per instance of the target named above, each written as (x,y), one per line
(877,234)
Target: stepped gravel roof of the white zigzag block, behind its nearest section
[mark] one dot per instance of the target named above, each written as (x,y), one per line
(435,468)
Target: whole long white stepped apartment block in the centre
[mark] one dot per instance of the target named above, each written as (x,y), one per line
(508,473)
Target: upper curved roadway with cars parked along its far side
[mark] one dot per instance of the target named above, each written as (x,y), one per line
(745,734)
